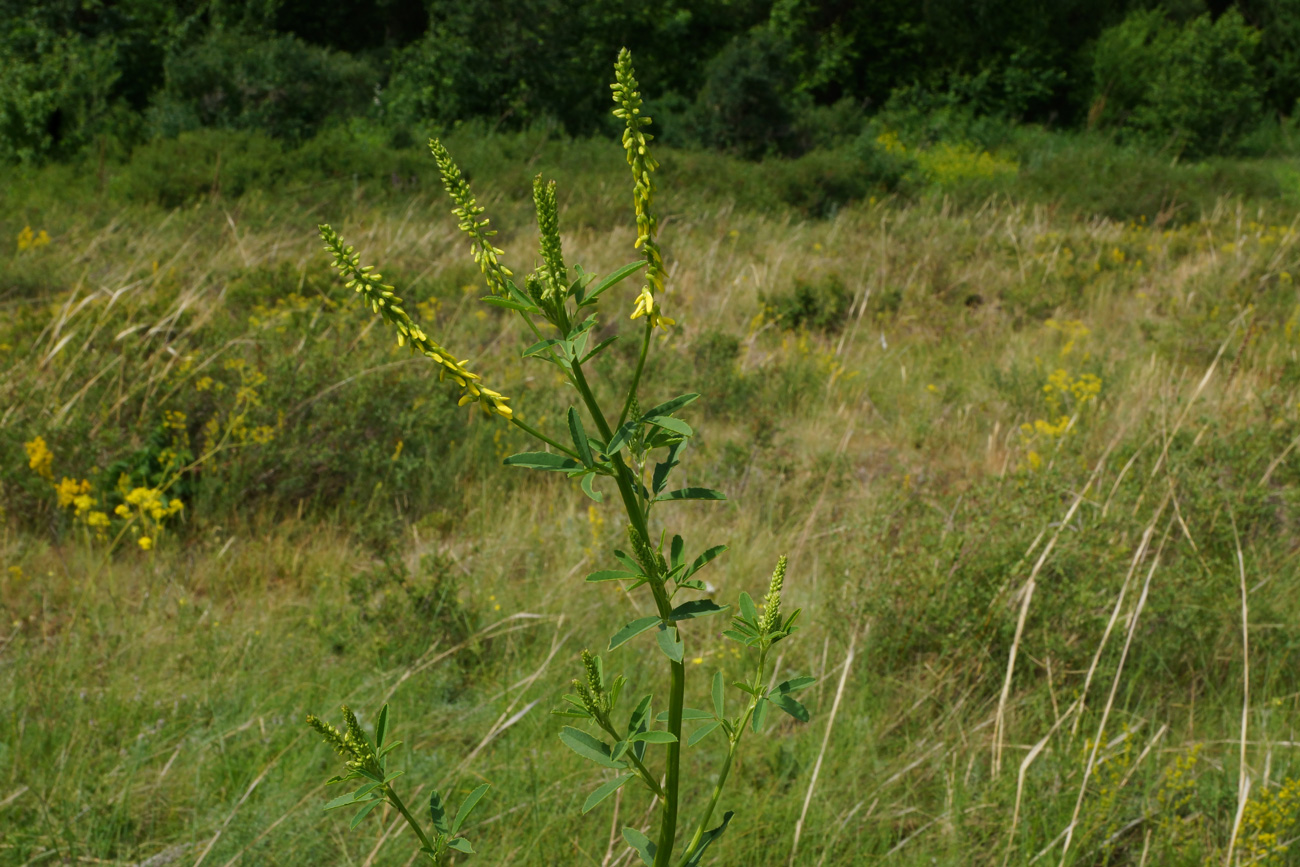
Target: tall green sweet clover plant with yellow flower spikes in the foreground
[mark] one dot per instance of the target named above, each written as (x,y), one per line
(635,449)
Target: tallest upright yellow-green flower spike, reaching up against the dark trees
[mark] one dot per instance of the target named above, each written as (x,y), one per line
(629,99)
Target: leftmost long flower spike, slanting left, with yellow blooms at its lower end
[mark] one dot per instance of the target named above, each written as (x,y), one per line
(384,302)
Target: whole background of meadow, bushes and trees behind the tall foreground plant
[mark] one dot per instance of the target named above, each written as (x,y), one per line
(1033,288)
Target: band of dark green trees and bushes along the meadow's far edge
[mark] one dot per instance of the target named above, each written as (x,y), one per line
(752,77)
